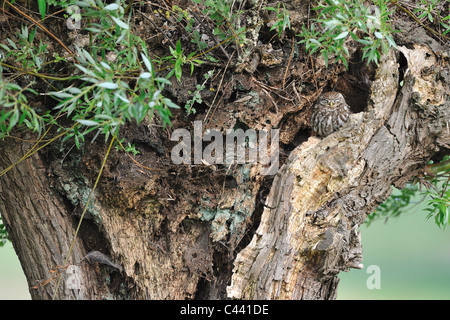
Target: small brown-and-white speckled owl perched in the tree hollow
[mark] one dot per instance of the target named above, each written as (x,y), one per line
(329,114)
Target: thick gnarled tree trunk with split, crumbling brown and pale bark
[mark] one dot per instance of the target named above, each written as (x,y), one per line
(198,231)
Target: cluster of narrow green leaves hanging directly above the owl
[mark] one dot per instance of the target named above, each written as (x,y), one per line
(340,21)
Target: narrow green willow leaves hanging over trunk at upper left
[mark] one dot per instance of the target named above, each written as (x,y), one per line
(104,94)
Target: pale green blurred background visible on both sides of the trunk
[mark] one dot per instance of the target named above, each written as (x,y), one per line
(413,255)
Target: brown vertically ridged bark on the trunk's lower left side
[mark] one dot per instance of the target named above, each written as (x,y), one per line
(37,220)
